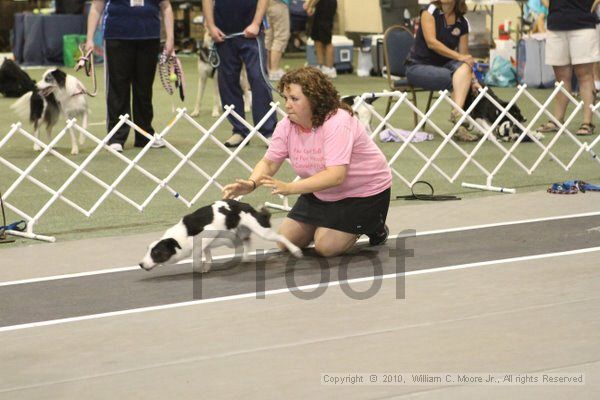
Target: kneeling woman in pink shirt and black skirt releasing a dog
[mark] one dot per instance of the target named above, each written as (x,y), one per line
(345,185)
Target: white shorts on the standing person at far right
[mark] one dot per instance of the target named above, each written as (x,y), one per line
(580,46)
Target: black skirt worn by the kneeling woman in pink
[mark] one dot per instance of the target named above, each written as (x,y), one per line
(358,215)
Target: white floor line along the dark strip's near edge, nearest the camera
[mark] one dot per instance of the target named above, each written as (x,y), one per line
(294,289)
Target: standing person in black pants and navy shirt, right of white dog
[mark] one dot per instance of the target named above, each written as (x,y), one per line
(131,49)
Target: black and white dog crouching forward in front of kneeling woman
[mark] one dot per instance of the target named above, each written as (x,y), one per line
(208,225)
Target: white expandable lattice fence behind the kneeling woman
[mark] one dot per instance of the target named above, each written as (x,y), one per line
(207,135)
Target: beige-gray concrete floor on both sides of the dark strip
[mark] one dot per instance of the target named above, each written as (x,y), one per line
(527,316)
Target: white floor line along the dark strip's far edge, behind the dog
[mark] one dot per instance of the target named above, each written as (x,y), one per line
(425,233)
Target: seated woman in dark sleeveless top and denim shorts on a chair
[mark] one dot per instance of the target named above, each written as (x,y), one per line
(440,56)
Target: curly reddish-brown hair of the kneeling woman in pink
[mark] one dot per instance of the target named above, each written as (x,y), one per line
(323,97)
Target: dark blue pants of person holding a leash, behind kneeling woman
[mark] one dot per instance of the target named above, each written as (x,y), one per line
(233,52)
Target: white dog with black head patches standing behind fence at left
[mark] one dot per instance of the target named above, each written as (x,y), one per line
(56,93)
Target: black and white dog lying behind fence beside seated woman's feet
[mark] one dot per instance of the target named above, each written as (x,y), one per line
(485,113)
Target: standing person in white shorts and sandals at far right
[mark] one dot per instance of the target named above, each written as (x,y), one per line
(572,46)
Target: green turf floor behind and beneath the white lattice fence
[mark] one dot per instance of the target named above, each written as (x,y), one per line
(116,217)
